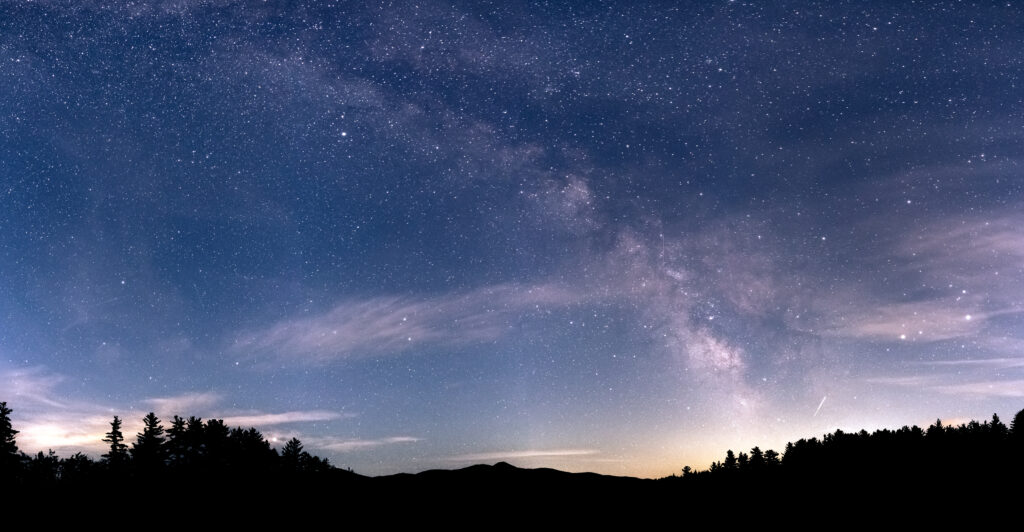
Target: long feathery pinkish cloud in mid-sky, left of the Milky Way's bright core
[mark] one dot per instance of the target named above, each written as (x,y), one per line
(390,326)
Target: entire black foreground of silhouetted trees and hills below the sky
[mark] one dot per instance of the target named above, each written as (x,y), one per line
(205,474)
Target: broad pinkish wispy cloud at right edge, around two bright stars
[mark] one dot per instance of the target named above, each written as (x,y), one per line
(967,273)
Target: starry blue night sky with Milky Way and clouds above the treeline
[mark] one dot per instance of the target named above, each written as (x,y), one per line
(610,237)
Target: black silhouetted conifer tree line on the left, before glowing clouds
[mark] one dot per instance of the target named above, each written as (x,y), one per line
(188,451)
